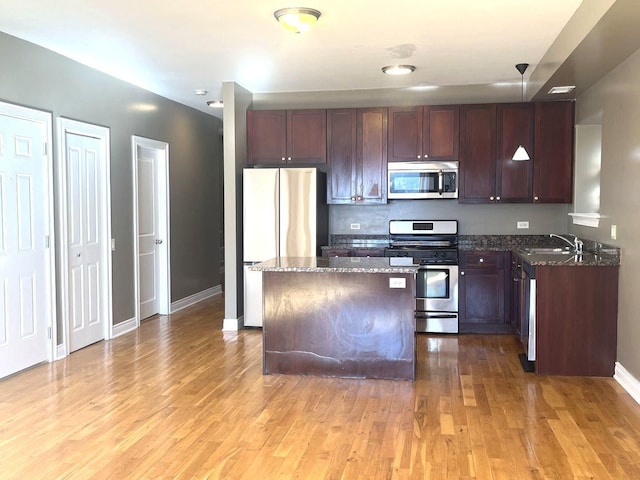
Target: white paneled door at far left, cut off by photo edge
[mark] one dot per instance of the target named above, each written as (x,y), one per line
(26,282)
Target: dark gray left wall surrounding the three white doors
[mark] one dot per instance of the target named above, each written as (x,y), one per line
(38,78)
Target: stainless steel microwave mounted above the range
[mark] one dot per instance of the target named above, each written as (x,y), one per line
(422,180)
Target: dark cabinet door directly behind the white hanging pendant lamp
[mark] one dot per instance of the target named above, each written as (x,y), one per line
(514,128)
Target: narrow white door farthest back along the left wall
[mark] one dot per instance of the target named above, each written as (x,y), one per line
(151,175)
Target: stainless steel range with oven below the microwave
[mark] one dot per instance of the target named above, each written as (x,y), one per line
(432,244)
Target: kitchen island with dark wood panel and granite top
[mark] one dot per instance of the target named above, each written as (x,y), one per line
(343,317)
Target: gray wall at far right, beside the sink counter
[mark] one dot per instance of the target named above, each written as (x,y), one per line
(617,96)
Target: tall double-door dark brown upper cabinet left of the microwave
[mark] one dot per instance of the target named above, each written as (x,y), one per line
(357,156)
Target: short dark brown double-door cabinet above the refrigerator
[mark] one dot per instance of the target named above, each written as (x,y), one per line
(286,137)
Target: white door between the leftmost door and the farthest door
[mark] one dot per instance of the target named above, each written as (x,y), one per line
(86,241)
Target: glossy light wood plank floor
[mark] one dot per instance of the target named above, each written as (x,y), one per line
(180,399)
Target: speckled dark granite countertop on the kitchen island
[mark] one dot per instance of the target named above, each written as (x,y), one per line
(334,264)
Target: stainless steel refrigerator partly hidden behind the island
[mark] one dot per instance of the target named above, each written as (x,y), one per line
(285,214)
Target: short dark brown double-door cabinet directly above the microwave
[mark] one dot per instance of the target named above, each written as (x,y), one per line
(429,133)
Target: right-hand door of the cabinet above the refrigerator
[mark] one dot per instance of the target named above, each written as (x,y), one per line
(306,136)
